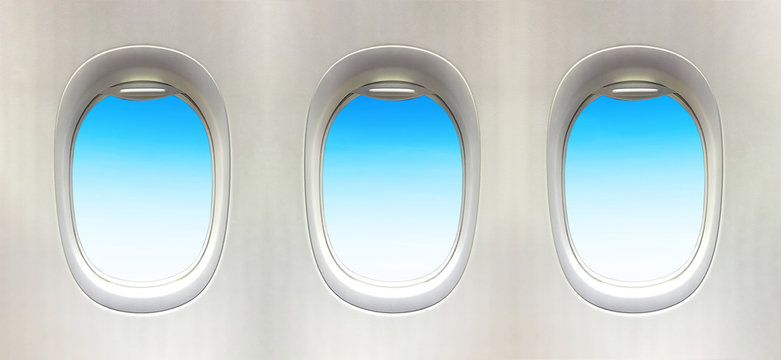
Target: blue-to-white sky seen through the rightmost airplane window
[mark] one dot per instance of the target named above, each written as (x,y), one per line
(635,184)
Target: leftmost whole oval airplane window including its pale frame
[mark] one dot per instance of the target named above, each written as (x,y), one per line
(142,178)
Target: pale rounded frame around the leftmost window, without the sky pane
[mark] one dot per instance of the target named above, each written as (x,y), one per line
(177,73)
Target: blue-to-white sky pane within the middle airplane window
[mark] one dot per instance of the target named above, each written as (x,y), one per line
(392,187)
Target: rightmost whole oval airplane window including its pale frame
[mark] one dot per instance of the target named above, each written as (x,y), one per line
(634,178)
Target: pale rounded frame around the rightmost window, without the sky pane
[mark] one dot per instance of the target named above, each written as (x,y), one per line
(635,64)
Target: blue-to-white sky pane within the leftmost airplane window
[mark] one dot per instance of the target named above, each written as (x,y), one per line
(142,182)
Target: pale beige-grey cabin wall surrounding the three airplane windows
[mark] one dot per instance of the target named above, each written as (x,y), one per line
(267,299)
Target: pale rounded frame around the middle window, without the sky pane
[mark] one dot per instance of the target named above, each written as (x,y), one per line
(400,65)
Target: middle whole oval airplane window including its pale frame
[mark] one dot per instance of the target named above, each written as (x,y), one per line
(391,175)
